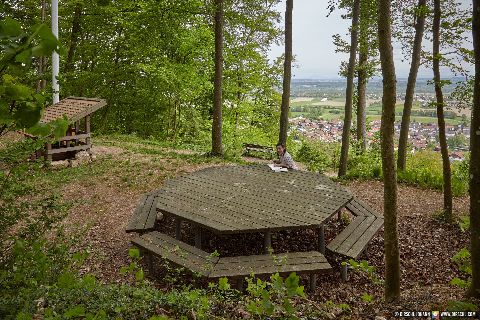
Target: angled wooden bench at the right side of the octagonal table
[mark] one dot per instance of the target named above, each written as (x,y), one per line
(353,240)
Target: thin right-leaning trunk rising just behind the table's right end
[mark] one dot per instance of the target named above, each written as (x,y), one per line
(347,123)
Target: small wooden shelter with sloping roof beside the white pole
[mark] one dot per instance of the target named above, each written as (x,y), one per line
(78,136)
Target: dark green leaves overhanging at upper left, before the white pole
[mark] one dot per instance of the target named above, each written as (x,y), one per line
(20,105)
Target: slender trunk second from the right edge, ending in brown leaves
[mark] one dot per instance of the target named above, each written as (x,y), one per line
(447,174)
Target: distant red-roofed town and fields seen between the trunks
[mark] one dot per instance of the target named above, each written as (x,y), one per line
(318,115)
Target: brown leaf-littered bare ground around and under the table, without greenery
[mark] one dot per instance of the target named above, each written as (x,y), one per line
(104,193)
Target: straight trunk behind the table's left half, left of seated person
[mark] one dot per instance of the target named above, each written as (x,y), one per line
(217,148)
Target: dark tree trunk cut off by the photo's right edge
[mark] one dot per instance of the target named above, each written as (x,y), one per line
(475,160)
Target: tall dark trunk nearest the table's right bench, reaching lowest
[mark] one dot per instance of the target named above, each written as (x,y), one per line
(392,258)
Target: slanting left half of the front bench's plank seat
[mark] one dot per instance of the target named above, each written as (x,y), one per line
(180,253)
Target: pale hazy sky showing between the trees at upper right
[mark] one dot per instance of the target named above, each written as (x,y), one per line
(312,42)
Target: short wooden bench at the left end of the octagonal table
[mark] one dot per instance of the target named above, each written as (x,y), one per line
(145,214)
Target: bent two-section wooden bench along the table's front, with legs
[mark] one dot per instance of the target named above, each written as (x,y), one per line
(199,261)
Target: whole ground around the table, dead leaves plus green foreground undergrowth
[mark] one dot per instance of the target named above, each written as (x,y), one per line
(69,222)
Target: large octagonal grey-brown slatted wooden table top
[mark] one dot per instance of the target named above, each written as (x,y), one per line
(237,199)
